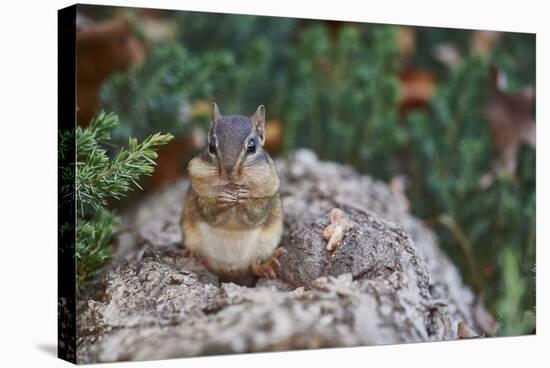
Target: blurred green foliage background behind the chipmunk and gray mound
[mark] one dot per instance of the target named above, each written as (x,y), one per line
(337,93)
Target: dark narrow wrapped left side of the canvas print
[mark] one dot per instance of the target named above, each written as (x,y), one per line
(66,268)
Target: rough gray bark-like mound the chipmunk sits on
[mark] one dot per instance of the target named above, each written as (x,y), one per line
(387,282)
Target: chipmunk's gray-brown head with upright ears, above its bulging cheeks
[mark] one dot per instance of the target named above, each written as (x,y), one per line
(235,143)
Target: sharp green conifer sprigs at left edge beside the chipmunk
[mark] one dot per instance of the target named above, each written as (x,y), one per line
(100,178)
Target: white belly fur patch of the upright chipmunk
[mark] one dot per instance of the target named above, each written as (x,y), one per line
(231,249)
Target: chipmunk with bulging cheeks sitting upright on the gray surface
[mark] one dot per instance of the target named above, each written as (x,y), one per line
(232,217)
